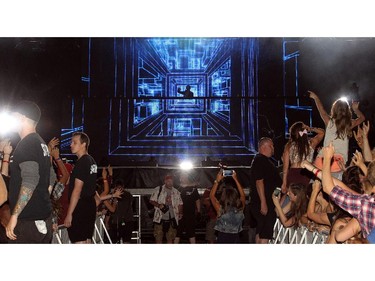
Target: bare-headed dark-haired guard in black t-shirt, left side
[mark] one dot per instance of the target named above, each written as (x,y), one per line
(81,214)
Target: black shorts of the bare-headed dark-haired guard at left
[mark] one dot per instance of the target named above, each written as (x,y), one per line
(83,221)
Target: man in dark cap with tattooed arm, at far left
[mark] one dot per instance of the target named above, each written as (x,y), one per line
(31,178)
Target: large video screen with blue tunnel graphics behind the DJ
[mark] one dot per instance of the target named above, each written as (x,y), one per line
(171,97)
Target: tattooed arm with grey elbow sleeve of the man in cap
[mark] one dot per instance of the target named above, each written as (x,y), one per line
(30,179)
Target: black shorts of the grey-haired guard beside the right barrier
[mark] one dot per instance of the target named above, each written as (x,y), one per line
(265,223)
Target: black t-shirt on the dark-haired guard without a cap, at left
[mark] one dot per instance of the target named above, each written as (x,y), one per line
(85,170)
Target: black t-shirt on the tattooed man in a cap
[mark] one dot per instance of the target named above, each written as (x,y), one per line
(31,148)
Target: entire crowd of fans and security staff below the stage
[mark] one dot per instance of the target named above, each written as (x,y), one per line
(320,187)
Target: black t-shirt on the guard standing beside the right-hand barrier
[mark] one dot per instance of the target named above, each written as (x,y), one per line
(263,168)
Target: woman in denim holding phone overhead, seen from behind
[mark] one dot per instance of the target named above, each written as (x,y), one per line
(229,208)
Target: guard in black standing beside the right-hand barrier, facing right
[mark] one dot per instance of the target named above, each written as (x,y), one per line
(264,179)
